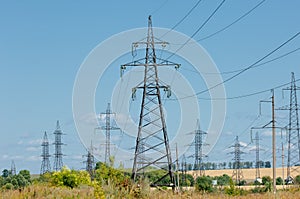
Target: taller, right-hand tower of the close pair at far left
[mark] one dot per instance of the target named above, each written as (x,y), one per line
(58,163)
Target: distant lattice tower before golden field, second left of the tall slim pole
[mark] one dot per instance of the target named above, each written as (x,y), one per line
(237,171)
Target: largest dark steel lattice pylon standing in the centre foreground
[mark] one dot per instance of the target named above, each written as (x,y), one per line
(152,143)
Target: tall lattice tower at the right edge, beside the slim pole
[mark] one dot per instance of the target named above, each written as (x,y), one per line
(293,129)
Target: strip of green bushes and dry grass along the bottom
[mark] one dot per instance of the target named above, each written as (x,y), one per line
(108,182)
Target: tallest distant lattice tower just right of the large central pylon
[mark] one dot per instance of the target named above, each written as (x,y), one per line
(199,143)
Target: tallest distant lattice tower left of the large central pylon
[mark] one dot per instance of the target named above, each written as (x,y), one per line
(108,127)
